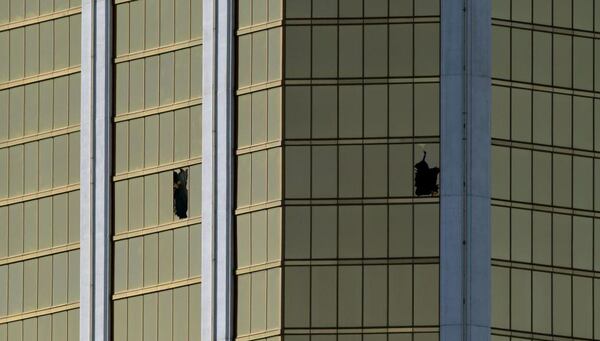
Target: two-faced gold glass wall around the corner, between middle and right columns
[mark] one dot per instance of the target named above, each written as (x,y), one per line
(336,103)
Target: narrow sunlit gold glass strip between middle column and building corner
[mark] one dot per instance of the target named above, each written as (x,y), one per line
(259,153)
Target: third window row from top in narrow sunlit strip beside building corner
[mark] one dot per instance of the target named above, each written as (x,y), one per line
(259,117)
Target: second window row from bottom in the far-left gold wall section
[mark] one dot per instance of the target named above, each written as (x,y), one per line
(39,283)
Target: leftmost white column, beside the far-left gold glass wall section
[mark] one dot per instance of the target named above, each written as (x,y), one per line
(96,164)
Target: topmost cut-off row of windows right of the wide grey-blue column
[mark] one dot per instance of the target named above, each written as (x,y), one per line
(576,14)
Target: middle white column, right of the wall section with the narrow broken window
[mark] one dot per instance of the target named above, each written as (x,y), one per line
(217,169)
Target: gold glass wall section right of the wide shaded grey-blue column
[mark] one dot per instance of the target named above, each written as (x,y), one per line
(546,170)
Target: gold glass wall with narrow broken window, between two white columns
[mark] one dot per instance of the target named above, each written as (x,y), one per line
(157,169)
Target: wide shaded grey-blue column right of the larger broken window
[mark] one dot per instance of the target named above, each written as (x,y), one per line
(465,272)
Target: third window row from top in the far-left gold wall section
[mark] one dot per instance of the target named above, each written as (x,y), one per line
(40,107)
